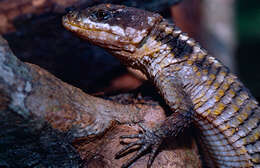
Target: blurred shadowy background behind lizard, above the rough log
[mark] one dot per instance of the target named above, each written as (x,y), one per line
(228,29)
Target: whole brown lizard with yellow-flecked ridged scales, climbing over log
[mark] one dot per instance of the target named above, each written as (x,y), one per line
(197,87)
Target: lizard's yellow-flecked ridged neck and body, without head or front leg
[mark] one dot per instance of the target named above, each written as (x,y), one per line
(226,113)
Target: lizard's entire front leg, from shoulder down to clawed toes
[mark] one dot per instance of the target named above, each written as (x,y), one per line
(151,139)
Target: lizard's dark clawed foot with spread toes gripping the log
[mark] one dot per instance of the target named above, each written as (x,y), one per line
(148,140)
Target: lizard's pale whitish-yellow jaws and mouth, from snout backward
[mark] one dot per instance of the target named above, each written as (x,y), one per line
(100,34)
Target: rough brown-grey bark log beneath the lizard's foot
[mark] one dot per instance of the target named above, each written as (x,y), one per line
(44,121)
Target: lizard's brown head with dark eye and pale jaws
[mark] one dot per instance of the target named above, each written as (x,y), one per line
(117,28)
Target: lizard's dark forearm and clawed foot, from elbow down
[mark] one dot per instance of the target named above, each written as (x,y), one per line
(151,139)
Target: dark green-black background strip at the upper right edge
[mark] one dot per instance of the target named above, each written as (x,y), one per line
(248,36)
